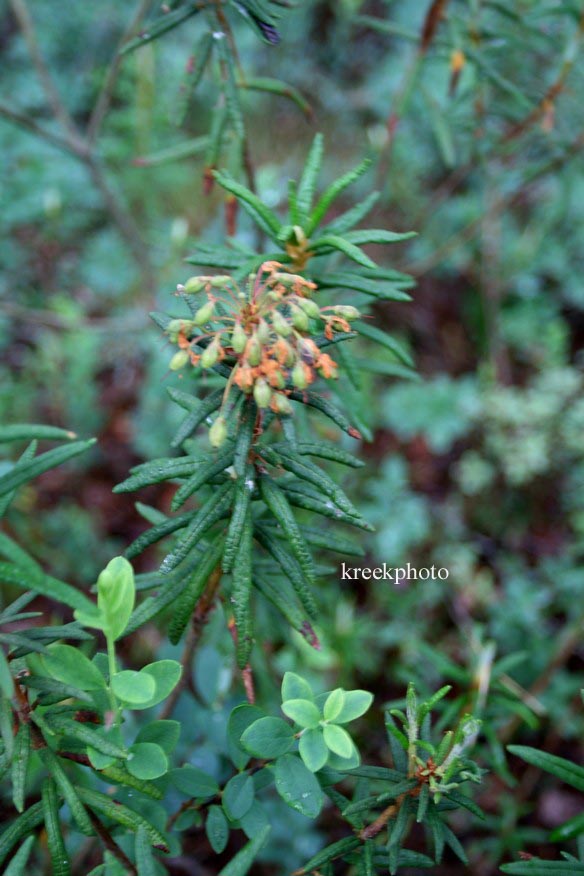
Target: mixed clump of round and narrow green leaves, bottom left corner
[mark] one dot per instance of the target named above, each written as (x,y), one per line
(68,710)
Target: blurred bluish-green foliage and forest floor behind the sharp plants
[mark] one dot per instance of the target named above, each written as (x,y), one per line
(471,115)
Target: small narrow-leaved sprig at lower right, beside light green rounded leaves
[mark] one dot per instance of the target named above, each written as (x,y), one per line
(422,787)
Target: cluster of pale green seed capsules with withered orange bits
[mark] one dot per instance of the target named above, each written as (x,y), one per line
(264,333)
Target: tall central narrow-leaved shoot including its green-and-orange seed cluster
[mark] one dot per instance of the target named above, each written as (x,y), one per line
(262,338)
